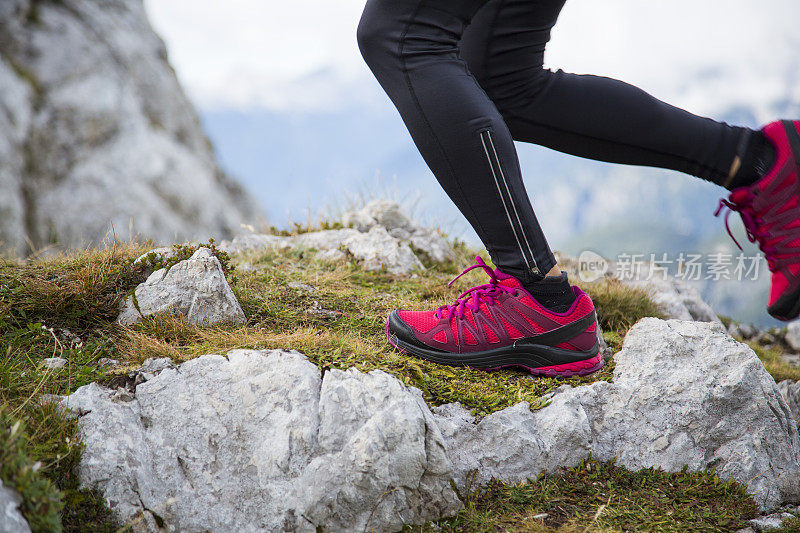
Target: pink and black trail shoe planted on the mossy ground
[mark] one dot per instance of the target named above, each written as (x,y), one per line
(499,325)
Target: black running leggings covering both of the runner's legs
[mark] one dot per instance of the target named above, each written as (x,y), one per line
(467,77)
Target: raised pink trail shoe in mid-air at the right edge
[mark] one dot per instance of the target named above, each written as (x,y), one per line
(770,210)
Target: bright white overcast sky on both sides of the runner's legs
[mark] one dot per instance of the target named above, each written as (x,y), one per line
(302,53)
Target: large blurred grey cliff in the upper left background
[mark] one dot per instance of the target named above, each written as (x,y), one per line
(112,145)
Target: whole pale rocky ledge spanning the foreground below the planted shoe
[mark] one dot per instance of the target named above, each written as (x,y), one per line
(261,440)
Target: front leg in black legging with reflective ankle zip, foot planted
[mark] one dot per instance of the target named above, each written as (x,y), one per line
(412,48)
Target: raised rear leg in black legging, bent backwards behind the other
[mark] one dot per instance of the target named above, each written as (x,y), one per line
(587,116)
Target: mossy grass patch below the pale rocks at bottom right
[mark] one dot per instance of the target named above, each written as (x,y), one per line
(604,497)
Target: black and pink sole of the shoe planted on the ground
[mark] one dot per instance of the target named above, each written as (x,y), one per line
(534,358)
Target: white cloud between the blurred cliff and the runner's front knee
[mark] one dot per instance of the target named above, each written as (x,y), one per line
(253,52)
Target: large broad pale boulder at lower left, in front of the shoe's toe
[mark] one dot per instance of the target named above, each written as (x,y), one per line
(261,441)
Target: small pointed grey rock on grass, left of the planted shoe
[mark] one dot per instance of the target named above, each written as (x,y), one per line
(195,289)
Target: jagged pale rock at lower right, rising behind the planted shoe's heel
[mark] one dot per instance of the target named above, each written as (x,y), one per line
(684,393)
